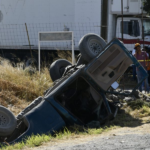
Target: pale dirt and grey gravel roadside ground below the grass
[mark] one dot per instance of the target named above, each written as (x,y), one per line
(122,138)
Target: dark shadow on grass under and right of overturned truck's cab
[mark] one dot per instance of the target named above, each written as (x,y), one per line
(123,118)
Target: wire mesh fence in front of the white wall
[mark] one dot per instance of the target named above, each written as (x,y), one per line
(14,36)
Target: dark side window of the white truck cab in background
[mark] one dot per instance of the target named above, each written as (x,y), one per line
(130,27)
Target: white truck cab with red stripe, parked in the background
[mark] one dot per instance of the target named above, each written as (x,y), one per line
(132,31)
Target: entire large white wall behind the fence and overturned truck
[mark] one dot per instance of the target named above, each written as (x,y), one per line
(80,16)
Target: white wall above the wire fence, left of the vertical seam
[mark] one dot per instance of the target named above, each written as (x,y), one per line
(37,11)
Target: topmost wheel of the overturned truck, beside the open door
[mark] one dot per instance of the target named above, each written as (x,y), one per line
(90,46)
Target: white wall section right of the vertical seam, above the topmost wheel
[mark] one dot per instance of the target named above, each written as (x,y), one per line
(87,17)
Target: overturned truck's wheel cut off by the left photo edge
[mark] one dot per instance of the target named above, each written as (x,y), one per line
(8,122)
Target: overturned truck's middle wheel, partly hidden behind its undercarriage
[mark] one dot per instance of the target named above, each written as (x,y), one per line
(57,68)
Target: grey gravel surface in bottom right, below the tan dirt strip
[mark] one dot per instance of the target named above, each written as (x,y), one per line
(120,142)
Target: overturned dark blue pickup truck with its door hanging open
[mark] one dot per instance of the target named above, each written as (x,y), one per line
(78,95)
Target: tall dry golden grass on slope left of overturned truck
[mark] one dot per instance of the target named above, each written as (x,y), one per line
(19,88)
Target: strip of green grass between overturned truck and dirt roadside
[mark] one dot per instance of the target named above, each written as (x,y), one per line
(37,140)
